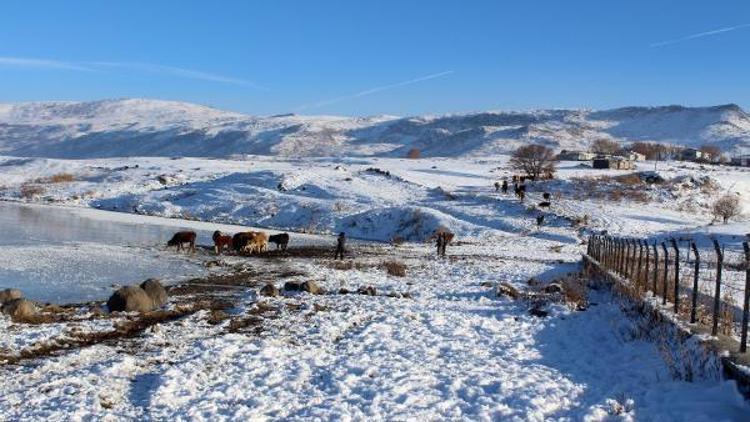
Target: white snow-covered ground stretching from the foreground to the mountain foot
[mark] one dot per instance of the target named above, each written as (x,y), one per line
(448,349)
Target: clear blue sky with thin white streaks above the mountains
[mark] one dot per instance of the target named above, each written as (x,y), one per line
(363,58)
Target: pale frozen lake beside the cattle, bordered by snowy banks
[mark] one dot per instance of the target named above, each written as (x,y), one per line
(63,255)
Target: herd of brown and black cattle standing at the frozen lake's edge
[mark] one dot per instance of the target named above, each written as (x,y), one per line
(242,243)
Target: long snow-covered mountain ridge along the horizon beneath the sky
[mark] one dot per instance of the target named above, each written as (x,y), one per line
(139,127)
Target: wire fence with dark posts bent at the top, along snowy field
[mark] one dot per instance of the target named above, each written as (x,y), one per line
(705,283)
